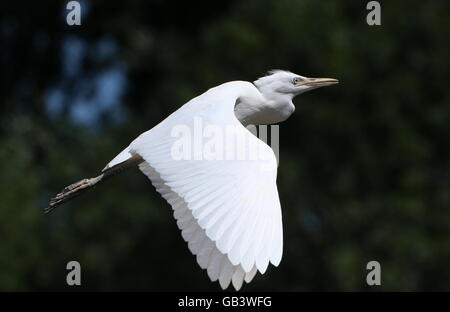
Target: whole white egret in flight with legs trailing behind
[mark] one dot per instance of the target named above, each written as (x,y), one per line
(227,208)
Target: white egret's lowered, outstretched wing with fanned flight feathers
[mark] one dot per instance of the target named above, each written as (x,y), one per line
(227,208)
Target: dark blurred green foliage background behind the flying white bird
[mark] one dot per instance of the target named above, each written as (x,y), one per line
(364,170)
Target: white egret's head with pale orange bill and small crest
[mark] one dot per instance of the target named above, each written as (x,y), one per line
(280,82)
